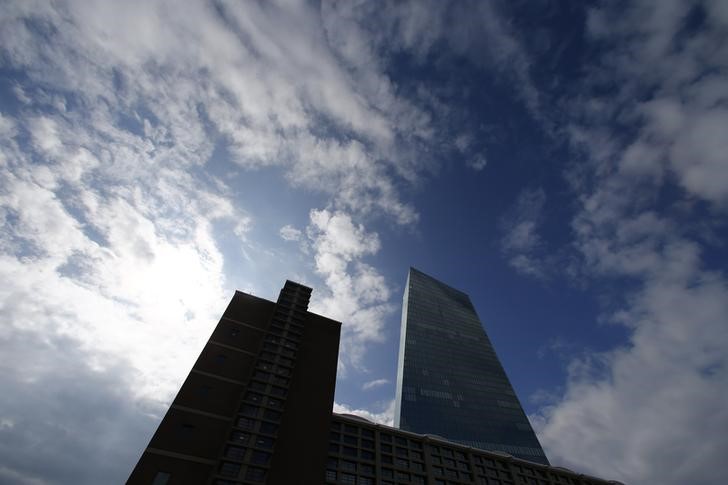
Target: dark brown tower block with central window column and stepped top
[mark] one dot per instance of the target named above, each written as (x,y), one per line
(256,407)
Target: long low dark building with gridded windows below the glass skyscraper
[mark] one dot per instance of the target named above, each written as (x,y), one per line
(364,453)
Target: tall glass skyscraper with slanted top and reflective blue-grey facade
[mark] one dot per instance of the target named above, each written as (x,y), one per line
(450,382)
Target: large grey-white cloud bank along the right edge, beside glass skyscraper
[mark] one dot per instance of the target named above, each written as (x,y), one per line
(632,412)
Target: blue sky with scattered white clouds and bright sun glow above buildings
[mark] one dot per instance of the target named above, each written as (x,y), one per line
(565,163)
